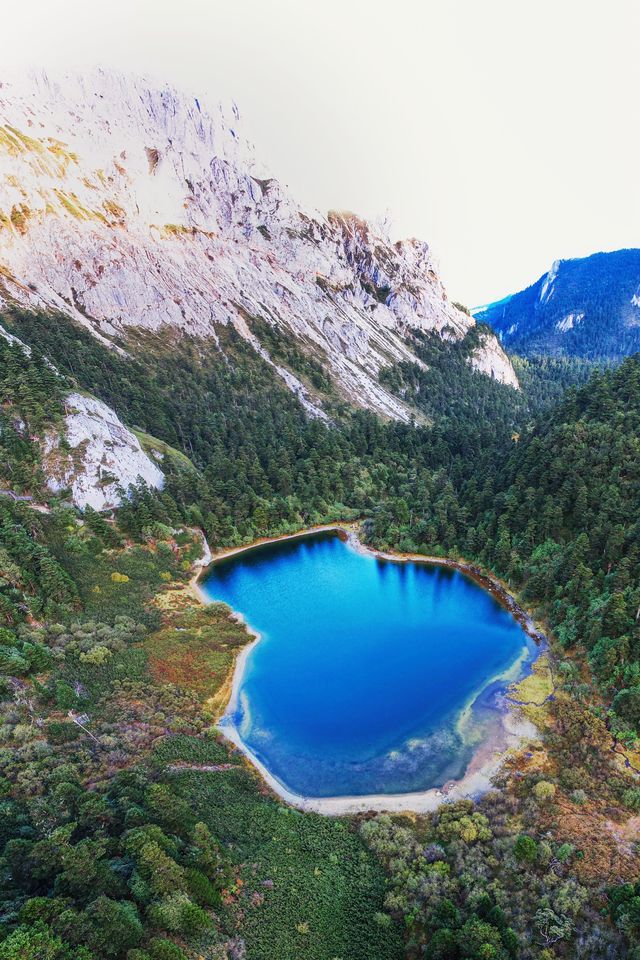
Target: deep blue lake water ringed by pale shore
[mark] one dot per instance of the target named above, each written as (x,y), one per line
(364,669)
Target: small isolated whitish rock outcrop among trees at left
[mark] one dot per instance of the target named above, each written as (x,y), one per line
(103,456)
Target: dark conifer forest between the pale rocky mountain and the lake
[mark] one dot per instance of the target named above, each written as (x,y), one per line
(263,465)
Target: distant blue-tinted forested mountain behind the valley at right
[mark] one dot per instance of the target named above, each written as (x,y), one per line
(587,307)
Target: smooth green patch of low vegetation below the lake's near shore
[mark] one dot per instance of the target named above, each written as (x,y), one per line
(307,888)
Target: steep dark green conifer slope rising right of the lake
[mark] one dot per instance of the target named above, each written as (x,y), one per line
(558,516)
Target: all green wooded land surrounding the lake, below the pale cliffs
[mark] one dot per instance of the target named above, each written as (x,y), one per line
(134,834)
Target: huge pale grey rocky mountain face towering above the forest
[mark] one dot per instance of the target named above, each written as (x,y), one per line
(126,206)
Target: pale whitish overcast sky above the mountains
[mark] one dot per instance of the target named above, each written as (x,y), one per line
(506,133)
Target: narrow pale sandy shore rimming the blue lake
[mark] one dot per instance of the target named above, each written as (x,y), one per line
(487,759)
